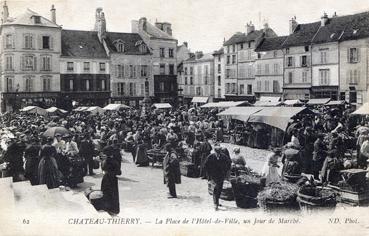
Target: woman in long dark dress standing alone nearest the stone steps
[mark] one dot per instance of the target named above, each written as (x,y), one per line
(109,186)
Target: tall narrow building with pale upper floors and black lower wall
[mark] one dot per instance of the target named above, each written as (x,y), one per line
(164,59)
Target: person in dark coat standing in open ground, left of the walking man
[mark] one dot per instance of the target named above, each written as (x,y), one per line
(172,174)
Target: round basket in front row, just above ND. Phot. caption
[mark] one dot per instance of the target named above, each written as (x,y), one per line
(312,196)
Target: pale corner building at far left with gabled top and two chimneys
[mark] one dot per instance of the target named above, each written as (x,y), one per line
(29,52)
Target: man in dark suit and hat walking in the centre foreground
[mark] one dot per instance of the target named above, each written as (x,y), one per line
(217,166)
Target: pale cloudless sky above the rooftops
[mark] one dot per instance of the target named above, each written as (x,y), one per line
(204,24)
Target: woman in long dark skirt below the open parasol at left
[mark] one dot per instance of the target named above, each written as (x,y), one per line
(48,169)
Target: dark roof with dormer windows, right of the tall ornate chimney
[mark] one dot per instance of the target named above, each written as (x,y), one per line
(131,42)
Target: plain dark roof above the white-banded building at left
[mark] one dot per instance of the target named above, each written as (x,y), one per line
(76,43)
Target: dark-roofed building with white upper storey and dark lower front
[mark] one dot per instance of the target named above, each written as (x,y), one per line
(84,68)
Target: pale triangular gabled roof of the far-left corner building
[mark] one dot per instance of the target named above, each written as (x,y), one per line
(26,19)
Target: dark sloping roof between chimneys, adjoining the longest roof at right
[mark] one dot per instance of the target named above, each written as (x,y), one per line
(302,35)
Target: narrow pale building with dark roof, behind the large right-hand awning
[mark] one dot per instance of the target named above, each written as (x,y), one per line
(269,67)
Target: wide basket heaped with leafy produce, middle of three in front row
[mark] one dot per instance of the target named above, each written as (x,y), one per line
(278,196)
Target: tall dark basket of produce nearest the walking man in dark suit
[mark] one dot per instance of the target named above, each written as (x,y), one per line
(245,189)
